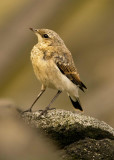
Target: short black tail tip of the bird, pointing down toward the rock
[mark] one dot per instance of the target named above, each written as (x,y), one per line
(76,103)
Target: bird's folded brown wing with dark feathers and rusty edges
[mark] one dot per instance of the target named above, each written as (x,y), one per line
(70,71)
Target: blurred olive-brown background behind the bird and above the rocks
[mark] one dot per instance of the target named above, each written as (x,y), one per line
(86,26)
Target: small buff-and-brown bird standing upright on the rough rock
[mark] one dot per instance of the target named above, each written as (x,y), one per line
(54,67)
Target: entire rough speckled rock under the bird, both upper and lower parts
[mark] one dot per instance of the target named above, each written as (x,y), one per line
(78,136)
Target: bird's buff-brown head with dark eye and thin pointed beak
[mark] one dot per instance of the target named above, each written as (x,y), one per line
(48,37)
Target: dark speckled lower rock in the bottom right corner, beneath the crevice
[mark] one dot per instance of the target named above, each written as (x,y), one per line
(90,149)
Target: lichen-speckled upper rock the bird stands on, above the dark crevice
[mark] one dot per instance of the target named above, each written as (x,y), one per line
(66,127)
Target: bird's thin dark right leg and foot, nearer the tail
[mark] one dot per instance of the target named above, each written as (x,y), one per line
(48,107)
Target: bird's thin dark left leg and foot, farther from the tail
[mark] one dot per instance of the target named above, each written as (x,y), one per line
(39,95)
